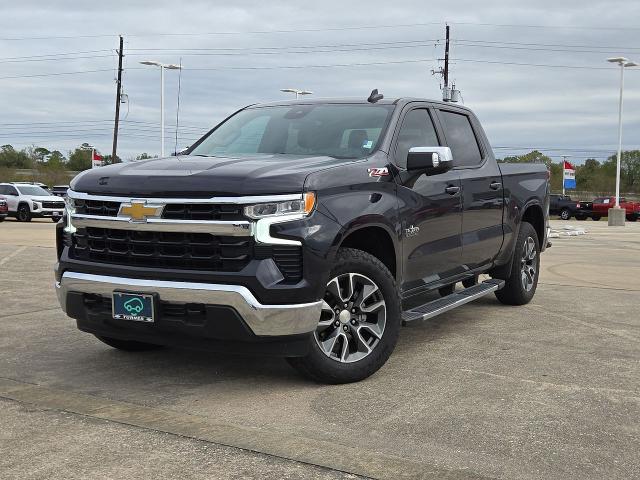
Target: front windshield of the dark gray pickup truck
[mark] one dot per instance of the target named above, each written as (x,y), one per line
(341,131)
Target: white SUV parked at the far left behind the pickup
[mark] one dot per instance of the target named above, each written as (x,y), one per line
(27,201)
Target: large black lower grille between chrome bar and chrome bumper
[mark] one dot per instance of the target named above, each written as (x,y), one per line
(190,251)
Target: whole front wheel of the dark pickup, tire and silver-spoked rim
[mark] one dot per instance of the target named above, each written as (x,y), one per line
(359,323)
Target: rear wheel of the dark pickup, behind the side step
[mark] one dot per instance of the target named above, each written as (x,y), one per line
(514,291)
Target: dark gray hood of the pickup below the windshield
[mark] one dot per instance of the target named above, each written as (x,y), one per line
(203,177)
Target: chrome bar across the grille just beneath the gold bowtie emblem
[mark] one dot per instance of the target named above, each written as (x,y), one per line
(238,228)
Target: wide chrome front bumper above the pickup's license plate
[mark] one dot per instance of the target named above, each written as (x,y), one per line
(263,320)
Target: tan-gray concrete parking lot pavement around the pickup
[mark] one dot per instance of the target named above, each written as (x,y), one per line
(549,390)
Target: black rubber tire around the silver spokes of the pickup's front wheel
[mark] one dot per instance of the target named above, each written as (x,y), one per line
(320,366)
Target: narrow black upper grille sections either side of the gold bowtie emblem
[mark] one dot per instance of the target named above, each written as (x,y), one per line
(172,211)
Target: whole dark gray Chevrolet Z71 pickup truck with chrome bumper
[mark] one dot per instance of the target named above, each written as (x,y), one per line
(300,229)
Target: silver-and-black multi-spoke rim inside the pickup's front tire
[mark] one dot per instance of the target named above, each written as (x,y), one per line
(353,318)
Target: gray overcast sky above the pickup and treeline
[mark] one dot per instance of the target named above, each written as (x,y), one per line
(507,59)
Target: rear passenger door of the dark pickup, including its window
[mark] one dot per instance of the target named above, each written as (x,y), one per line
(482,191)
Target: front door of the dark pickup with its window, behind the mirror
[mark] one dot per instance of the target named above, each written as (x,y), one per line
(430,207)
